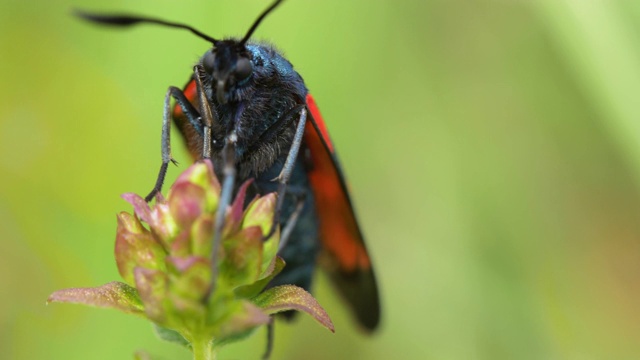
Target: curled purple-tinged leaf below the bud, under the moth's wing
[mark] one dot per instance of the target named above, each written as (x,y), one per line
(290,297)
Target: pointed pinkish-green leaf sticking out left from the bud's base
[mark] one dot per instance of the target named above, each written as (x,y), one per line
(114,295)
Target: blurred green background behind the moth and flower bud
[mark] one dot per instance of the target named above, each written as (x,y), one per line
(493,149)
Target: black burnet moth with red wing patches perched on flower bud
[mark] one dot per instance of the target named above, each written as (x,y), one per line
(247,109)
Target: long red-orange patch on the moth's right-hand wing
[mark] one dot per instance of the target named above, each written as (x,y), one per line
(339,229)
